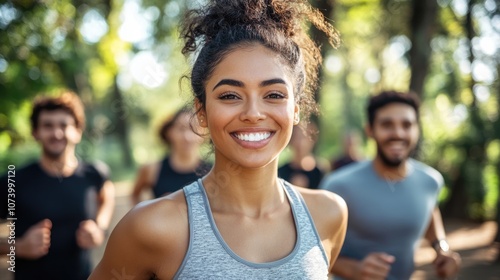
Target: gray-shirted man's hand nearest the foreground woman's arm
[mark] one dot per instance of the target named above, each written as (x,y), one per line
(375,266)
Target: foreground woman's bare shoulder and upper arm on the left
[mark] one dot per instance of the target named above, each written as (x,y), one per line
(151,239)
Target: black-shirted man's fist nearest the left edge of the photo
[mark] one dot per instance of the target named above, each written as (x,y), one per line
(35,242)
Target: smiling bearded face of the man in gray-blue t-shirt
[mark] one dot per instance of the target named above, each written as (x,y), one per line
(395,130)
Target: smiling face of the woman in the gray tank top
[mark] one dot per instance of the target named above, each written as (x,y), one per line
(250,108)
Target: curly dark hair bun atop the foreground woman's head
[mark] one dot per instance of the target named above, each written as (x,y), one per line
(203,24)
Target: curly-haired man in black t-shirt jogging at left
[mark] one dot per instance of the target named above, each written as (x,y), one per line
(60,206)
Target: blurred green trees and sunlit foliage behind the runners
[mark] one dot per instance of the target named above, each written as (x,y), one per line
(123,58)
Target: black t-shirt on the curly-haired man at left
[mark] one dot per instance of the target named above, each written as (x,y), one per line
(66,201)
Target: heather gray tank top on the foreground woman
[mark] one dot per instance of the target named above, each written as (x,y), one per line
(209,257)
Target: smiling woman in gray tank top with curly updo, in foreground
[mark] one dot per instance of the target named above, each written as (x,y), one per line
(252,82)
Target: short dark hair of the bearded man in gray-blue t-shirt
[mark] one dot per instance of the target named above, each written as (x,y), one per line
(387,97)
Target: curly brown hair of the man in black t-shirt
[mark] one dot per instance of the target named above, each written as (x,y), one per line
(67,101)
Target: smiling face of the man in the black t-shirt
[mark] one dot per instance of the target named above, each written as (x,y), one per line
(56,132)
